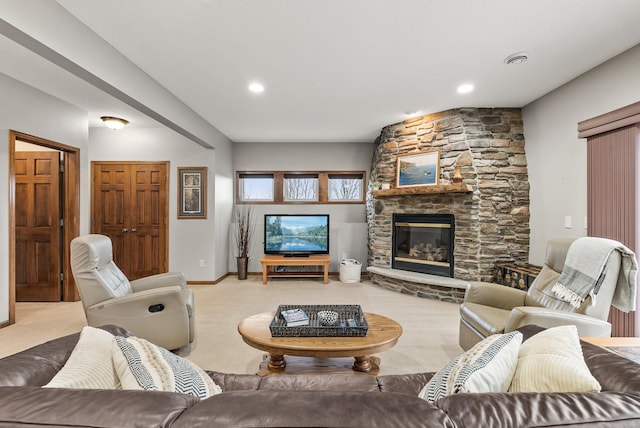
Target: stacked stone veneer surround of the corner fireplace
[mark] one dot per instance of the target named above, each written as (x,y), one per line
(492,222)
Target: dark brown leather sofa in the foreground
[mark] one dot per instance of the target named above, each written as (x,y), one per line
(308,400)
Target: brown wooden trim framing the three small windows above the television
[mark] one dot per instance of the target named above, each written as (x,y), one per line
(278,187)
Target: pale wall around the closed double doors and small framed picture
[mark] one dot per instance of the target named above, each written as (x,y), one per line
(189,240)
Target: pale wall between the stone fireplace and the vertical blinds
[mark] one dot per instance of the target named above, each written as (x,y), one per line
(557,158)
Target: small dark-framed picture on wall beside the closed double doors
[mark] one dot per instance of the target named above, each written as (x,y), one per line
(192,192)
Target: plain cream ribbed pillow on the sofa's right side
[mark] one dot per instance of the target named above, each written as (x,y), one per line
(552,361)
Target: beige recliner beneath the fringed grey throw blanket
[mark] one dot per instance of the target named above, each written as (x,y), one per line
(492,308)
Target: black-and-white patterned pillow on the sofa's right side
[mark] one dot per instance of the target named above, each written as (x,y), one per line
(487,367)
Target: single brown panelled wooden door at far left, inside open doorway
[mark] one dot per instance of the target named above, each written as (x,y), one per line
(37,226)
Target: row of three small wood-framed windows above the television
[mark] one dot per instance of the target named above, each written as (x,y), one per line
(309,187)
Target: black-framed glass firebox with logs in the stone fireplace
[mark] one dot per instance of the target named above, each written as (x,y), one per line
(423,243)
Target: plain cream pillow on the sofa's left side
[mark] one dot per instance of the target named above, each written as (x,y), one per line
(90,365)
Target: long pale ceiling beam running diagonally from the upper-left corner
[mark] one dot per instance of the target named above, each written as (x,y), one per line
(87,56)
